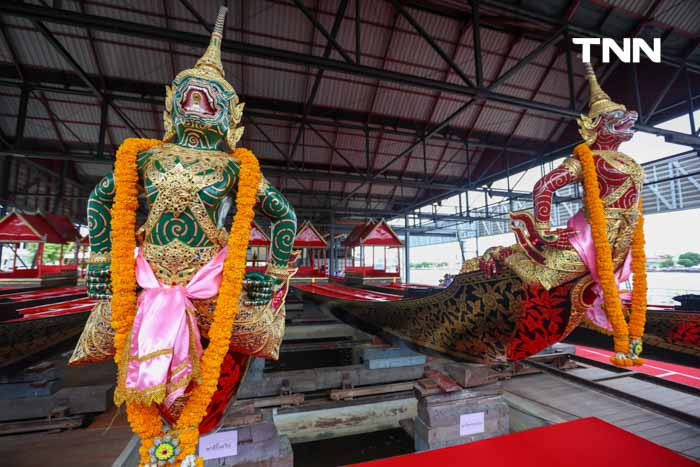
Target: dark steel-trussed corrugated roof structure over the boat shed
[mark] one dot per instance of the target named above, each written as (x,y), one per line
(415,102)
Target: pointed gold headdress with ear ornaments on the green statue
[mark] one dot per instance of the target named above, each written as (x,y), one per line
(210,68)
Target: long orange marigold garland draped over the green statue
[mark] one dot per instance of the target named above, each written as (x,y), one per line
(145,419)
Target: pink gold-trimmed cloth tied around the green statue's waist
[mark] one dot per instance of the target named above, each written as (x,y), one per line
(165,332)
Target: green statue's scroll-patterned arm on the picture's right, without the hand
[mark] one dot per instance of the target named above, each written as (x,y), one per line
(284,225)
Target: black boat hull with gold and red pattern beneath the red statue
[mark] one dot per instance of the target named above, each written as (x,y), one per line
(475,319)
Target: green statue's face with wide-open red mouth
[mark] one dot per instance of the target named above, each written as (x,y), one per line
(201,112)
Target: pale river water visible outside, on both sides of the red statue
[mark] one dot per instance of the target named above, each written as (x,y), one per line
(662,285)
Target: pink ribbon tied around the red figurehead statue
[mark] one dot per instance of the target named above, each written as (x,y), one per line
(583,244)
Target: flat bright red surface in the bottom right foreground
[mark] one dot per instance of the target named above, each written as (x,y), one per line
(588,442)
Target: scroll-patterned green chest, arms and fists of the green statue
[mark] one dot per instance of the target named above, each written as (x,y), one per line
(185,179)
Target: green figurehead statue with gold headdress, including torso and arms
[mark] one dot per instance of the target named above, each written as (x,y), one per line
(186,183)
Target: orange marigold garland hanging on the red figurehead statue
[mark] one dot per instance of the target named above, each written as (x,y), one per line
(627,338)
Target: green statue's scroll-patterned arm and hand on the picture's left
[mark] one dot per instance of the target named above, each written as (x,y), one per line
(99,214)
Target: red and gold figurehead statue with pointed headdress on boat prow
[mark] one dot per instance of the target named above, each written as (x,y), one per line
(547,257)
